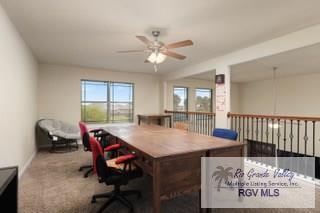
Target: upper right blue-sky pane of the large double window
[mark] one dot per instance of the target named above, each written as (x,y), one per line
(121,92)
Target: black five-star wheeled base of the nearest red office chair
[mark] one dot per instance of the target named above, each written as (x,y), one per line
(116,195)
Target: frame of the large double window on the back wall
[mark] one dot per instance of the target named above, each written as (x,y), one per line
(108,102)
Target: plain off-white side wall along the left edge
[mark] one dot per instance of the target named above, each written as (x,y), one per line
(18,91)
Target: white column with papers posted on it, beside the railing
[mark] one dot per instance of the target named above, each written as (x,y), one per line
(223,97)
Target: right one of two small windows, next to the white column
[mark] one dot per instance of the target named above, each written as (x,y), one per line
(204,100)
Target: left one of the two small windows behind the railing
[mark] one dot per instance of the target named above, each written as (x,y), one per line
(180,98)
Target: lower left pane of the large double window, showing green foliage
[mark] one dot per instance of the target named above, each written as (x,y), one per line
(94,112)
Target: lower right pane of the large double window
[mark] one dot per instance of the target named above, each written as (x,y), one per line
(121,112)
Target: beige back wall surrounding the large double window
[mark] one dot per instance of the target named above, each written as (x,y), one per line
(59,90)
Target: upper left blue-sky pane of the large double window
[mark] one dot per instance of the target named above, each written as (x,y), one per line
(94,91)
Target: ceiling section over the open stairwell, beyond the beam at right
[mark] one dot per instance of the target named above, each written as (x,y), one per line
(296,62)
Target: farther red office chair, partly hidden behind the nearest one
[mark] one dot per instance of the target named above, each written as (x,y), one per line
(100,135)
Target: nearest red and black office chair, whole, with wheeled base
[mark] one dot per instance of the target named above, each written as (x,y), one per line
(114,176)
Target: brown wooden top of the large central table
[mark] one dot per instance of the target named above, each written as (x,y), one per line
(157,141)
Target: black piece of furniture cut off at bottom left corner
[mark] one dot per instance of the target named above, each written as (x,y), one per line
(9,189)
